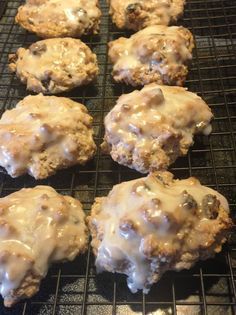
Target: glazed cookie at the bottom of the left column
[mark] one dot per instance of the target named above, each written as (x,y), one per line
(38,227)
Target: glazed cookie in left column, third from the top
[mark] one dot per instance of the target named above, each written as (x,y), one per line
(44,134)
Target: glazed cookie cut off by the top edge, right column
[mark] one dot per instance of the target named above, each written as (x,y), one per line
(137,14)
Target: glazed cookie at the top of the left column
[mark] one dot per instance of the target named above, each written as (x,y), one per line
(60,18)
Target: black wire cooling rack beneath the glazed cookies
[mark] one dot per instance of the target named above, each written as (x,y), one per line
(208,288)
